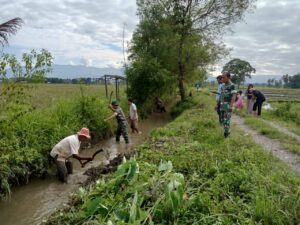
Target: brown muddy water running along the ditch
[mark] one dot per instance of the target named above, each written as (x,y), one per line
(31,203)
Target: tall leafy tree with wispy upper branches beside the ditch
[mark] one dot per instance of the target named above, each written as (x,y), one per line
(179,34)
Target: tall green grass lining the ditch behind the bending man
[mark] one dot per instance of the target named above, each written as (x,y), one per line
(26,141)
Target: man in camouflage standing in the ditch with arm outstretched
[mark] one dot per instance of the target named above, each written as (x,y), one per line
(121,119)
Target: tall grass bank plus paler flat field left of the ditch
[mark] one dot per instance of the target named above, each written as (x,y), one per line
(59,111)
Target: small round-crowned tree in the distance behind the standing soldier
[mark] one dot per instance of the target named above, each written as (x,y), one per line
(239,69)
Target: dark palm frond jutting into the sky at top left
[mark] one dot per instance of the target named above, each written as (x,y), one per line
(8,28)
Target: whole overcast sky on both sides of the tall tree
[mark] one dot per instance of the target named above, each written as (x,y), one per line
(89,32)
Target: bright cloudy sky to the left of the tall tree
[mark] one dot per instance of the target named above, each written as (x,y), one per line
(74,31)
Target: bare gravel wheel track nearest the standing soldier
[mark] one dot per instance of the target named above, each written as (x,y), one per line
(270,145)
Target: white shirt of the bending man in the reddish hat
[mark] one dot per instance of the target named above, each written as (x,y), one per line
(66,148)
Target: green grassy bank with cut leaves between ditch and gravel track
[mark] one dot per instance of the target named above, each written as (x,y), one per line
(187,173)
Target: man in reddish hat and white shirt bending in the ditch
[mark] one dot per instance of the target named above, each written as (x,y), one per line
(67,148)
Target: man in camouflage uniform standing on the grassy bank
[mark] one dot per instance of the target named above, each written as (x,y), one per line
(227,99)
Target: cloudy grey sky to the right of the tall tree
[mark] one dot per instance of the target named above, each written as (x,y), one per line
(268,38)
